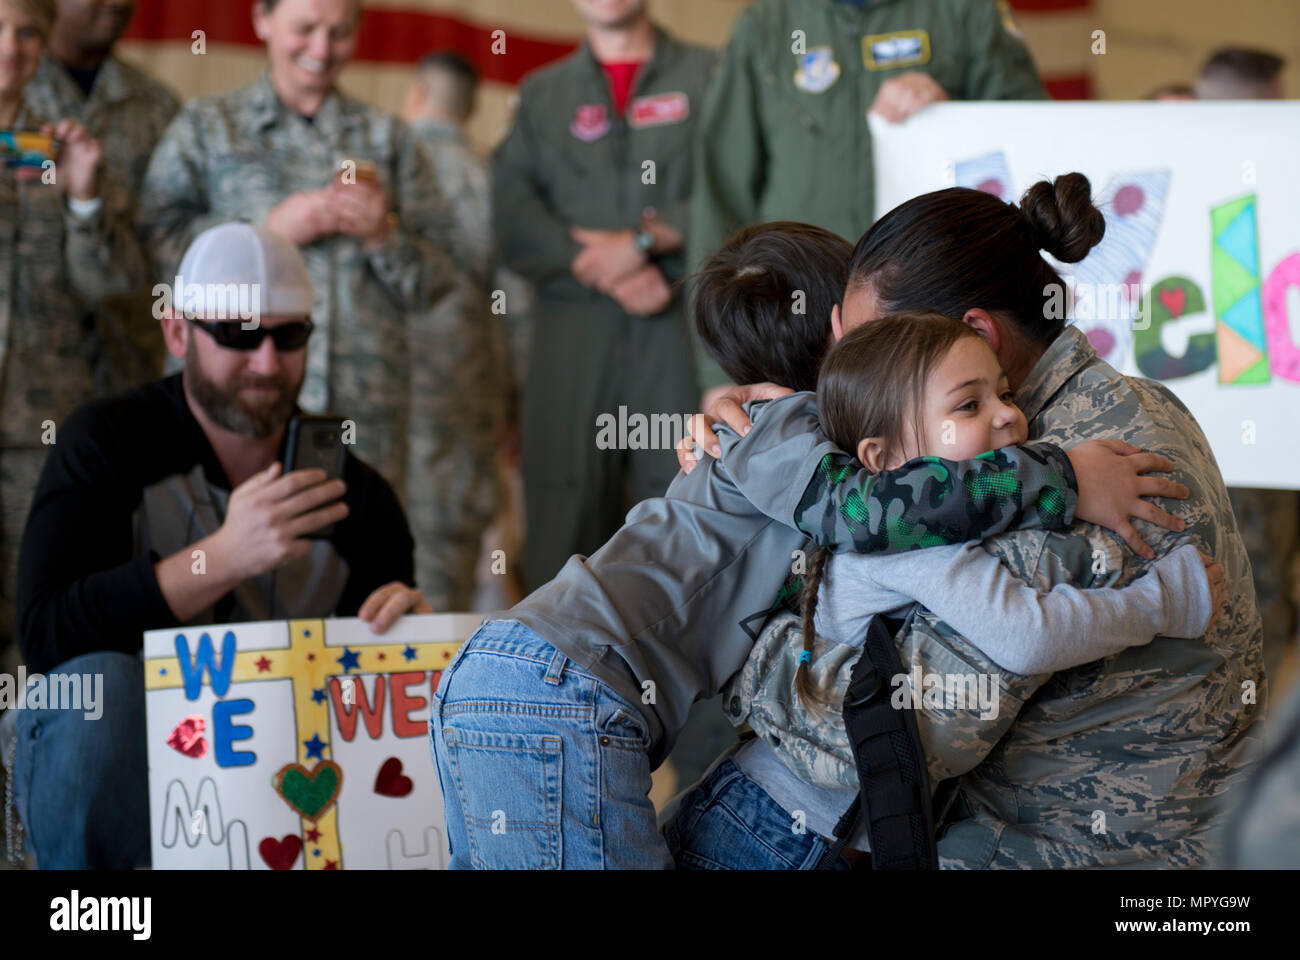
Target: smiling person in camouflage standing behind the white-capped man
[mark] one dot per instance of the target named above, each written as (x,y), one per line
(350,185)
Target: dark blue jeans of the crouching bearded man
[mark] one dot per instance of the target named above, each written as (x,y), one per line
(81,785)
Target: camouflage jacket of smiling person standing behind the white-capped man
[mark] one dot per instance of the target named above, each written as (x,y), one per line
(237,157)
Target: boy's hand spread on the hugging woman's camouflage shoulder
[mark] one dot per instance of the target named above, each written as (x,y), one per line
(1112,488)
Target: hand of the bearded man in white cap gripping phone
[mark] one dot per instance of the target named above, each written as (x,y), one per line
(270,518)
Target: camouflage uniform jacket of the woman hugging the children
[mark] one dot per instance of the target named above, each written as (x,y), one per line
(1119,763)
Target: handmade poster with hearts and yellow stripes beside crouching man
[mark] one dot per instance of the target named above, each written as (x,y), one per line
(297,745)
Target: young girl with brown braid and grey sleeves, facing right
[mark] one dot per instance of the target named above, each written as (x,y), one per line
(907,390)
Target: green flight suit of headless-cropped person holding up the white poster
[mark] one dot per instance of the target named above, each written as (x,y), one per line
(783,133)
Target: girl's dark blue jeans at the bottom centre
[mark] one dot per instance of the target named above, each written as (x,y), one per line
(729,823)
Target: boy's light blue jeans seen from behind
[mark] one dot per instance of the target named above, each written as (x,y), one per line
(541,766)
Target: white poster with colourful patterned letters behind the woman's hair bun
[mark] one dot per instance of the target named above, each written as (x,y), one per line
(1198,280)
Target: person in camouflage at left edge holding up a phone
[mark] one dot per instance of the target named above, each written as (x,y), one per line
(64,241)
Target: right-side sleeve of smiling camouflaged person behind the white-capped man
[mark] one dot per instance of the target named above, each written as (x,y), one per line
(414,263)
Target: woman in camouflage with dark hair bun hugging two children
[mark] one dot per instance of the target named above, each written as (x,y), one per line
(1121,763)
